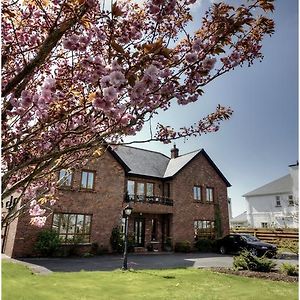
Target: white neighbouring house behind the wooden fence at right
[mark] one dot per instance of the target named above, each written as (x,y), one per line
(276,203)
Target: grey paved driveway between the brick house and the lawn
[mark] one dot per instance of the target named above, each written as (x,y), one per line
(139,261)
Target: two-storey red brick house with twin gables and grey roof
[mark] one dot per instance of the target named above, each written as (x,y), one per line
(178,198)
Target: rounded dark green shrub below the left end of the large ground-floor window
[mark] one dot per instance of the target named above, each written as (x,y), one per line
(47,242)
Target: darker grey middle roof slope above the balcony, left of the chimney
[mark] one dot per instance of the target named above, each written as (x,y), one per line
(143,162)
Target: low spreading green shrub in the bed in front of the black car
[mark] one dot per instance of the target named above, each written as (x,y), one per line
(248,261)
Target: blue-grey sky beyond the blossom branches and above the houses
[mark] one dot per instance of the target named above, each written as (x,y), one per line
(260,140)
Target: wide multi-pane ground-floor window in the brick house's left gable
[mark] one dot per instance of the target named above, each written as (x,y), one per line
(72,227)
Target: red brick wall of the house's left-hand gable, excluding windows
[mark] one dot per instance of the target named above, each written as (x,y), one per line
(104,203)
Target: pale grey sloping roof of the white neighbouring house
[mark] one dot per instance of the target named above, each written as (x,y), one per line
(279,186)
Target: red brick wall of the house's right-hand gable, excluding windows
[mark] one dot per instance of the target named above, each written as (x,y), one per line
(198,172)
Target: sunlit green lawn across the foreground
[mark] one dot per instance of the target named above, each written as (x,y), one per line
(18,283)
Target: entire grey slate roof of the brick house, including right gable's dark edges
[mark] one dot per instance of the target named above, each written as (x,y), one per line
(143,162)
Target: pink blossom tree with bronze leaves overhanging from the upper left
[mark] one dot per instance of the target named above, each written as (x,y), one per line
(78,77)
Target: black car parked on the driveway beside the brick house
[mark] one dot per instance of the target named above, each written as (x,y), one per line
(234,243)
